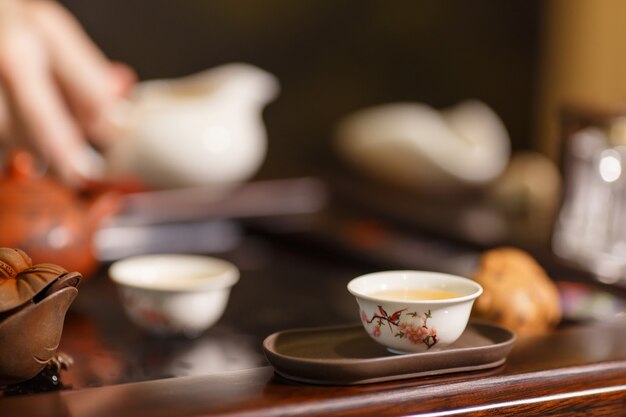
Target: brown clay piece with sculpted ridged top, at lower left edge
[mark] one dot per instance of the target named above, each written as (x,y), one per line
(33,303)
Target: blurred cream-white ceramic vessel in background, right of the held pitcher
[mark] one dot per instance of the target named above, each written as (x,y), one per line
(414,145)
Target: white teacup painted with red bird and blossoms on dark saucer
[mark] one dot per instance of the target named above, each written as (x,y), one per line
(414,311)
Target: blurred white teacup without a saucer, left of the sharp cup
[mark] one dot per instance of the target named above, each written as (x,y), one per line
(174,294)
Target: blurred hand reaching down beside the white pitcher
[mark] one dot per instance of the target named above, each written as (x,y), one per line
(56,86)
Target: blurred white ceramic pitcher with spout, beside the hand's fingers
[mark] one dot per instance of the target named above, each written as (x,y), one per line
(203,129)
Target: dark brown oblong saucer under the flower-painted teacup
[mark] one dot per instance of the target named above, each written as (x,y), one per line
(346,355)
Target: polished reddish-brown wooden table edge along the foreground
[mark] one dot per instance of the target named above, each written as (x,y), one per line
(577,371)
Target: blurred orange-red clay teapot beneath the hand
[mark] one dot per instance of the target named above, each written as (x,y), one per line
(47,219)
